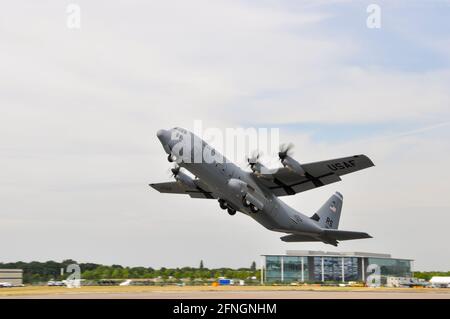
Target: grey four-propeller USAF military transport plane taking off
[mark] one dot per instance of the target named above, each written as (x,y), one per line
(256,193)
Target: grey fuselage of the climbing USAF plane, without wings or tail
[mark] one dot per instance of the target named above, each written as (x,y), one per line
(225,180)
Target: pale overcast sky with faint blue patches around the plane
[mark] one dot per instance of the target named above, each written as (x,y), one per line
(80,109)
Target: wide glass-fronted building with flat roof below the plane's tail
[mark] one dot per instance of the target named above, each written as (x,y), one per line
(320,266)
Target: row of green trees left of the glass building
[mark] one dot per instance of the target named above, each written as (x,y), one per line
(36,272)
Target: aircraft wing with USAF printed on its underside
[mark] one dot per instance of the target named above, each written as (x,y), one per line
(286,182)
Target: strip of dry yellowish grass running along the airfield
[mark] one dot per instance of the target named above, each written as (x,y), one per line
(44,290)
